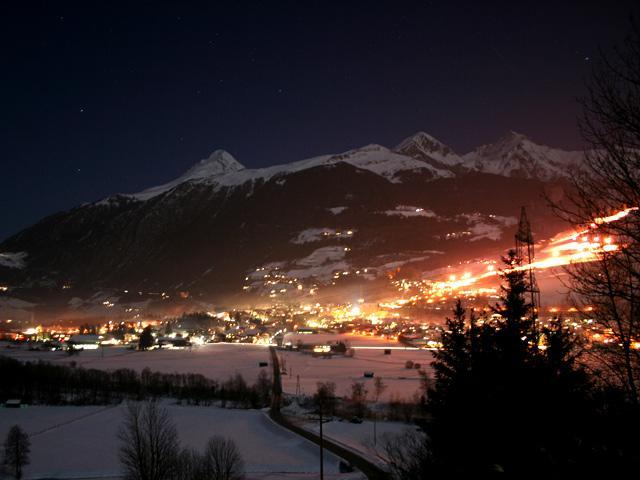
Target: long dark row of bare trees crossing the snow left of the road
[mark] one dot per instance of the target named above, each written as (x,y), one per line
(44,383)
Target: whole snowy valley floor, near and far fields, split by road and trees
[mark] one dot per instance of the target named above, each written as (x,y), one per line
(81,442)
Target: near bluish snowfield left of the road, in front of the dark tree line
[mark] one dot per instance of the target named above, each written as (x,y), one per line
(81,442)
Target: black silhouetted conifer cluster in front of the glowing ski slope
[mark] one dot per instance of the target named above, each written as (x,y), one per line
(499,401)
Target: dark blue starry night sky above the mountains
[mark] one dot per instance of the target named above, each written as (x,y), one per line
(120,97)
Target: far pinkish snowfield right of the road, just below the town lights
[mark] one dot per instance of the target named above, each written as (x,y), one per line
(343,371)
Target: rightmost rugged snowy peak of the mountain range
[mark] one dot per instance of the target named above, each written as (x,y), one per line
(515,155)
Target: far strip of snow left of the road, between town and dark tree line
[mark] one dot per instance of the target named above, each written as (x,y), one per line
(216,361)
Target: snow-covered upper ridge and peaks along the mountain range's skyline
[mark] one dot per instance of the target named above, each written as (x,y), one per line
(420,154)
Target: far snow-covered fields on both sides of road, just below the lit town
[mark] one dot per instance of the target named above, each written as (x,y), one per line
(221,360)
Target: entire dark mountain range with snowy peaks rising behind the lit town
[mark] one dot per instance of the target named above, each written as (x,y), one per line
(392,211)
